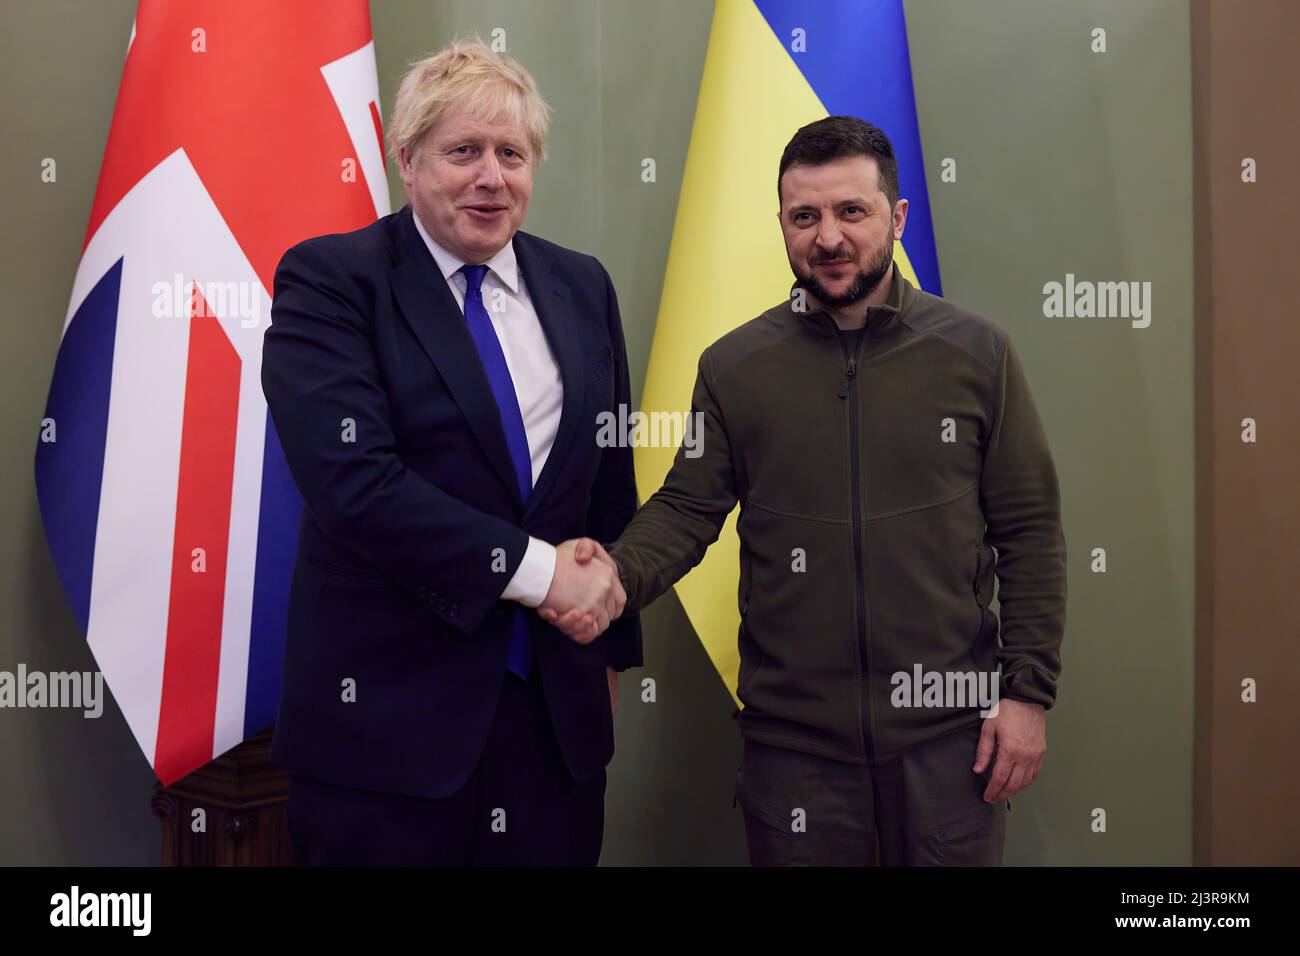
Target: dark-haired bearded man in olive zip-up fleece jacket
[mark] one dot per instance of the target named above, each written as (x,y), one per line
(889,438)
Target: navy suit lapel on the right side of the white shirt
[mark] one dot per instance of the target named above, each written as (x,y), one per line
(551,297)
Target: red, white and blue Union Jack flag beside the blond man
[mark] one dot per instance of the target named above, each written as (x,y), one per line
(241,128)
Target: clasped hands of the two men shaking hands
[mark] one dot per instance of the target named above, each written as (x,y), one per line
(586,592)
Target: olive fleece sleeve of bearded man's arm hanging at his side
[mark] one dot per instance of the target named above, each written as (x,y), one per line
(1022,509)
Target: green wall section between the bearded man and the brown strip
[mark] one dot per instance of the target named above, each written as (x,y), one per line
(1073,162)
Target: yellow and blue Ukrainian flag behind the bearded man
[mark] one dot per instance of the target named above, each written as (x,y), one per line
(773,67)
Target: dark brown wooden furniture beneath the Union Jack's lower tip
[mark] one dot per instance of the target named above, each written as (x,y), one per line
(244,802)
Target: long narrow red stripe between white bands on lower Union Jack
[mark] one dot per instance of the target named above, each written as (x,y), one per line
(193,659)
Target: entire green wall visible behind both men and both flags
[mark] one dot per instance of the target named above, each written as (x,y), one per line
(1068,162)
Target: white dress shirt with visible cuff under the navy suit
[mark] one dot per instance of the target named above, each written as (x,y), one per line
(538,384)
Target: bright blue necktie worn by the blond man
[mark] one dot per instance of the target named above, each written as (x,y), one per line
(521,659)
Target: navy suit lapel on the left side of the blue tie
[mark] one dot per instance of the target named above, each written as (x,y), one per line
(439,325)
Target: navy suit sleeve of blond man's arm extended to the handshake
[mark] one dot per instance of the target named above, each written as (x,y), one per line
(332,416)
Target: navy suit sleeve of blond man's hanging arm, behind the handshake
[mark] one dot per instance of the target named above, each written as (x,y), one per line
(614,496)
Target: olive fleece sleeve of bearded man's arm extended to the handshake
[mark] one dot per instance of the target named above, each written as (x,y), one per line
(675,527)
